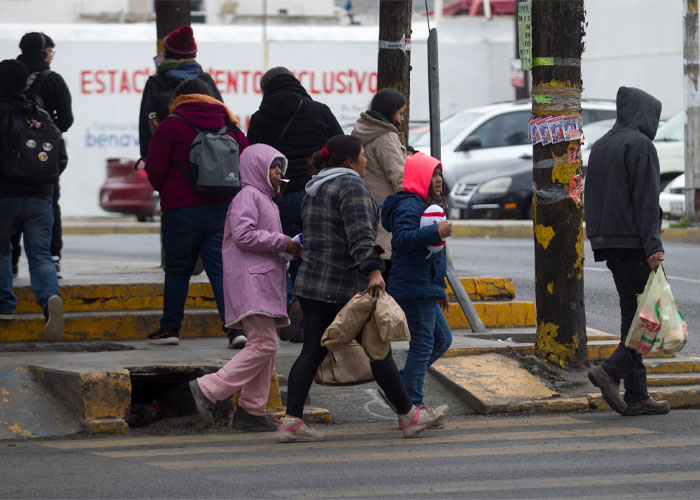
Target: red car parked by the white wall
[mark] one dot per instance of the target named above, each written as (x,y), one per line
(127,190)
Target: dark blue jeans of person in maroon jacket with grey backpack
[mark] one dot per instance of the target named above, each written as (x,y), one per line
(187,233)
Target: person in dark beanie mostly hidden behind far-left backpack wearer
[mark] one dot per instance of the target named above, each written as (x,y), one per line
(51,93)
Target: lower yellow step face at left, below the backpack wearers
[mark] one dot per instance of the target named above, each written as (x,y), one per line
(111,325)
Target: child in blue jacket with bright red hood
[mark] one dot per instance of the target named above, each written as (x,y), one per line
(417,278)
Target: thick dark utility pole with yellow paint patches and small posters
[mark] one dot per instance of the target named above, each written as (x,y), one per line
(557,45)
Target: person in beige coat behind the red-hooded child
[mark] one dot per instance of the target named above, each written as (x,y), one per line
(378,129)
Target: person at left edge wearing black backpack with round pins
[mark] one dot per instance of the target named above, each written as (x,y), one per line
(32,156)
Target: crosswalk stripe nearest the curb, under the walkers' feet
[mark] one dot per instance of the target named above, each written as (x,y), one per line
(233,437)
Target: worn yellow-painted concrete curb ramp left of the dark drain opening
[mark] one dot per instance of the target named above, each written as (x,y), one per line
(91,395)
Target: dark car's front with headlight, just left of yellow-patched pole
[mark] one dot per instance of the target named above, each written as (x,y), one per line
(505,194)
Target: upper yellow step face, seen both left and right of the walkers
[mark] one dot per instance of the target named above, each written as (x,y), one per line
(137,296)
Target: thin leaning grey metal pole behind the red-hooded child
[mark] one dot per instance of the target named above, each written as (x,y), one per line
(434,104)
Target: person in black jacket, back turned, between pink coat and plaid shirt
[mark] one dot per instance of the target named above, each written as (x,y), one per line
(297,126)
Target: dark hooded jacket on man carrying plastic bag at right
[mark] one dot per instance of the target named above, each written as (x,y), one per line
(622,180)
